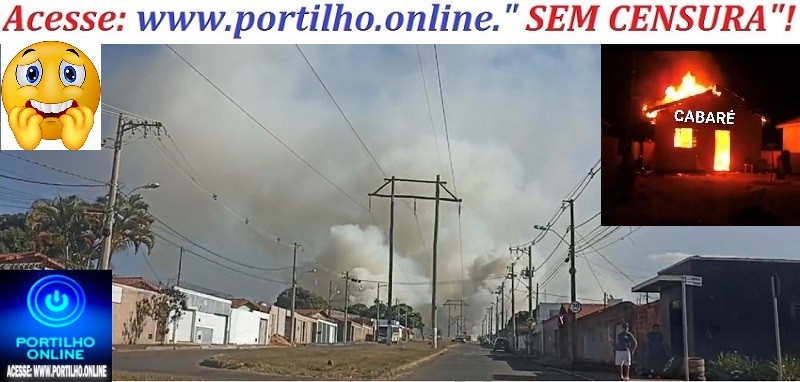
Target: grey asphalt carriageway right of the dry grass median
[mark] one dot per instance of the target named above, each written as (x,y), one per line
(470,362)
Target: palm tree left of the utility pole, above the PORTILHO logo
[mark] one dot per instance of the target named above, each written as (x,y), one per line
(60,228)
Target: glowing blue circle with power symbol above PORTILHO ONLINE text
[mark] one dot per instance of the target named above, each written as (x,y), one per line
(56,301)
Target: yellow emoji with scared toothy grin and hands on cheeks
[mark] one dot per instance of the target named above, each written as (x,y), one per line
(51,90)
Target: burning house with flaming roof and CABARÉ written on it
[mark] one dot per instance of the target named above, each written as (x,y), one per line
(703,128)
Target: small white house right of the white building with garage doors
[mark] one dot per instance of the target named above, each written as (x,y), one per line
(250,324)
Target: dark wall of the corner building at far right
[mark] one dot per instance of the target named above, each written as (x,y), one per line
(721,310)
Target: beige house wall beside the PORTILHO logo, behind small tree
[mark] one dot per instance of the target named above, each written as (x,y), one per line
(123,312)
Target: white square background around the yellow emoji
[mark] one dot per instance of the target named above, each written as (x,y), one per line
(9,49)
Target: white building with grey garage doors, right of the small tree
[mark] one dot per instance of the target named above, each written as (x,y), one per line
(207,319)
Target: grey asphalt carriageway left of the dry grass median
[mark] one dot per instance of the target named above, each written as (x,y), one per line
(178,362)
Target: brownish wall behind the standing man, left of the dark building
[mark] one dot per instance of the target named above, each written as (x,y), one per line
(596,333)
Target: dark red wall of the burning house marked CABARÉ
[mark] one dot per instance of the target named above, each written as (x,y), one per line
(745,137)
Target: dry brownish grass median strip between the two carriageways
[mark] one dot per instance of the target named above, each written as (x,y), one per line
(363,361)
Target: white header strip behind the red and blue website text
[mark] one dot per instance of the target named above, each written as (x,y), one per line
(510,16)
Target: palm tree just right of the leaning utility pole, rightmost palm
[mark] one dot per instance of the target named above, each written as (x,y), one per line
(132,227)
